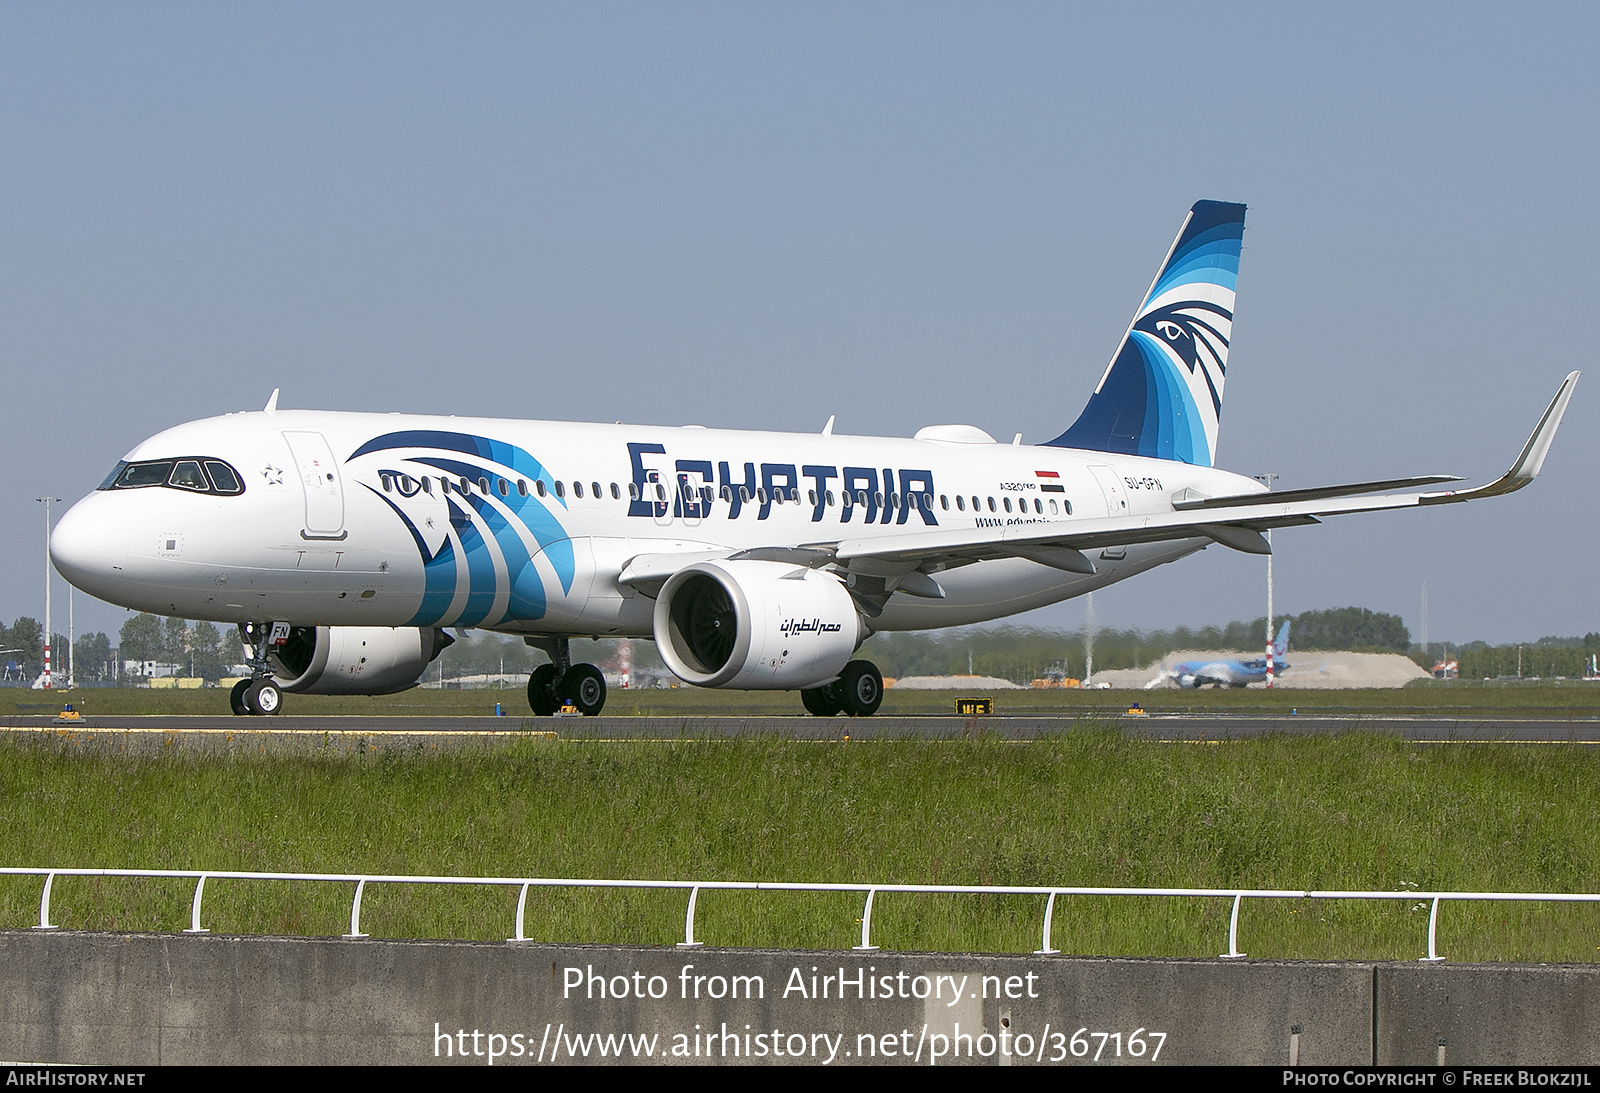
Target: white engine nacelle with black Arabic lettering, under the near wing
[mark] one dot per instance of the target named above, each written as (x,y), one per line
(756,625)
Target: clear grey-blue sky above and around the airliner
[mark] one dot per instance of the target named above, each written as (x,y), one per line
(764,215)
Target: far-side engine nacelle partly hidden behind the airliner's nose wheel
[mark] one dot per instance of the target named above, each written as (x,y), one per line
(358,660)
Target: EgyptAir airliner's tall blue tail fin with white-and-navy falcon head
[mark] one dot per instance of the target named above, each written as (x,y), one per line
(1162,394)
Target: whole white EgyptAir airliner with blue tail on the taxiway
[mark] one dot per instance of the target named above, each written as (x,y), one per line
(345,543)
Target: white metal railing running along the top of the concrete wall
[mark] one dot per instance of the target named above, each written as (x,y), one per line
(694,887)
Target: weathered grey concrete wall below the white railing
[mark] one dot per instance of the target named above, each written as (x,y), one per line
(164,999)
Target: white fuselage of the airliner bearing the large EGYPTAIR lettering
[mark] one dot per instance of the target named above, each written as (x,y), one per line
(526,527)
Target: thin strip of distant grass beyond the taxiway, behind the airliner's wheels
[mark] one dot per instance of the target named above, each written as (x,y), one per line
(1551,700)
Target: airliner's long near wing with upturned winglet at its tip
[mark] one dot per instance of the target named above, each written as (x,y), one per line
(1234,522)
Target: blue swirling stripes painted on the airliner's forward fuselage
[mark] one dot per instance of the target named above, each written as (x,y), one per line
(476,521)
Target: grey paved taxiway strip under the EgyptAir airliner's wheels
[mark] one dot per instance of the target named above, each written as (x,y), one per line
(388,734)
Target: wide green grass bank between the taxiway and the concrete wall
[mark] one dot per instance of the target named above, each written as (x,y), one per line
(1084,809)
